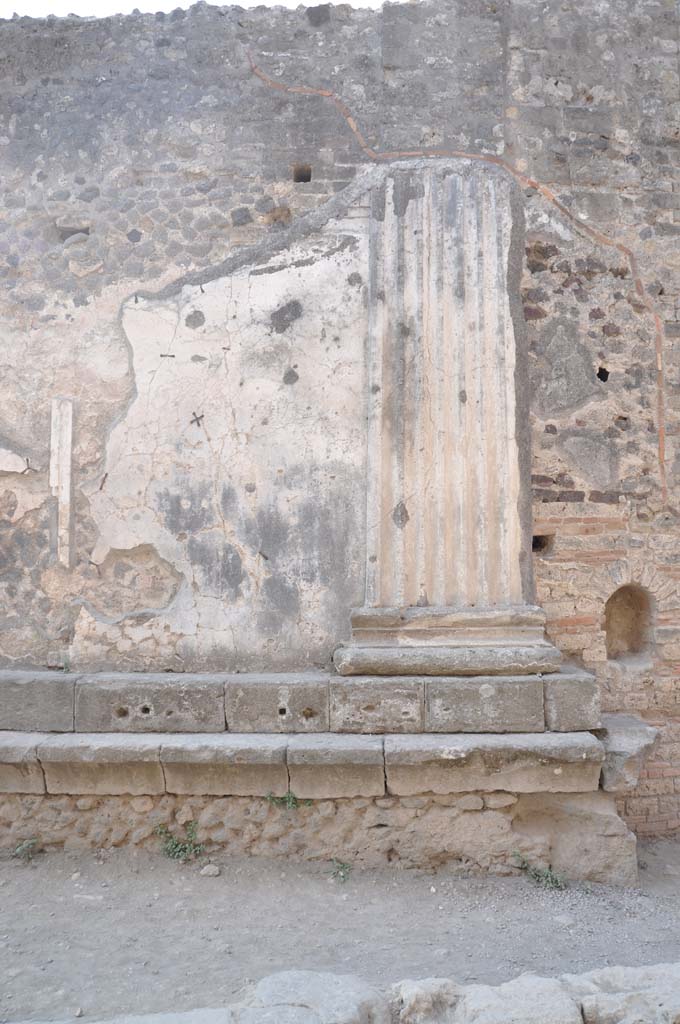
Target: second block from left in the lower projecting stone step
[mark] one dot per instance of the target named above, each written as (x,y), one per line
(96,763)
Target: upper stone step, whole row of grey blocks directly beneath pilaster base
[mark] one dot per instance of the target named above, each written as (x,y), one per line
(296,703)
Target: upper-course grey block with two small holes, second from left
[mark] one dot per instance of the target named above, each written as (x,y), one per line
(143,703)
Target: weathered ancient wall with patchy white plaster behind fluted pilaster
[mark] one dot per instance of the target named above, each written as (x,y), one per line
(210,517)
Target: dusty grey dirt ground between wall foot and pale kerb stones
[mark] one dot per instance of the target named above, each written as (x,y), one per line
(135,932)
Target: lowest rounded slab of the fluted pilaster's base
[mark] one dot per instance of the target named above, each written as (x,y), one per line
(449,661)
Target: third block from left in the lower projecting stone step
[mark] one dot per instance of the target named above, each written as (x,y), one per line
(226,765)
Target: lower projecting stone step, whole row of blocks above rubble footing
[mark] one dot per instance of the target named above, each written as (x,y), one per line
(312,767)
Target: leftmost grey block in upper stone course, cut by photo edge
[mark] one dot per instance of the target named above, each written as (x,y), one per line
(40,701)
